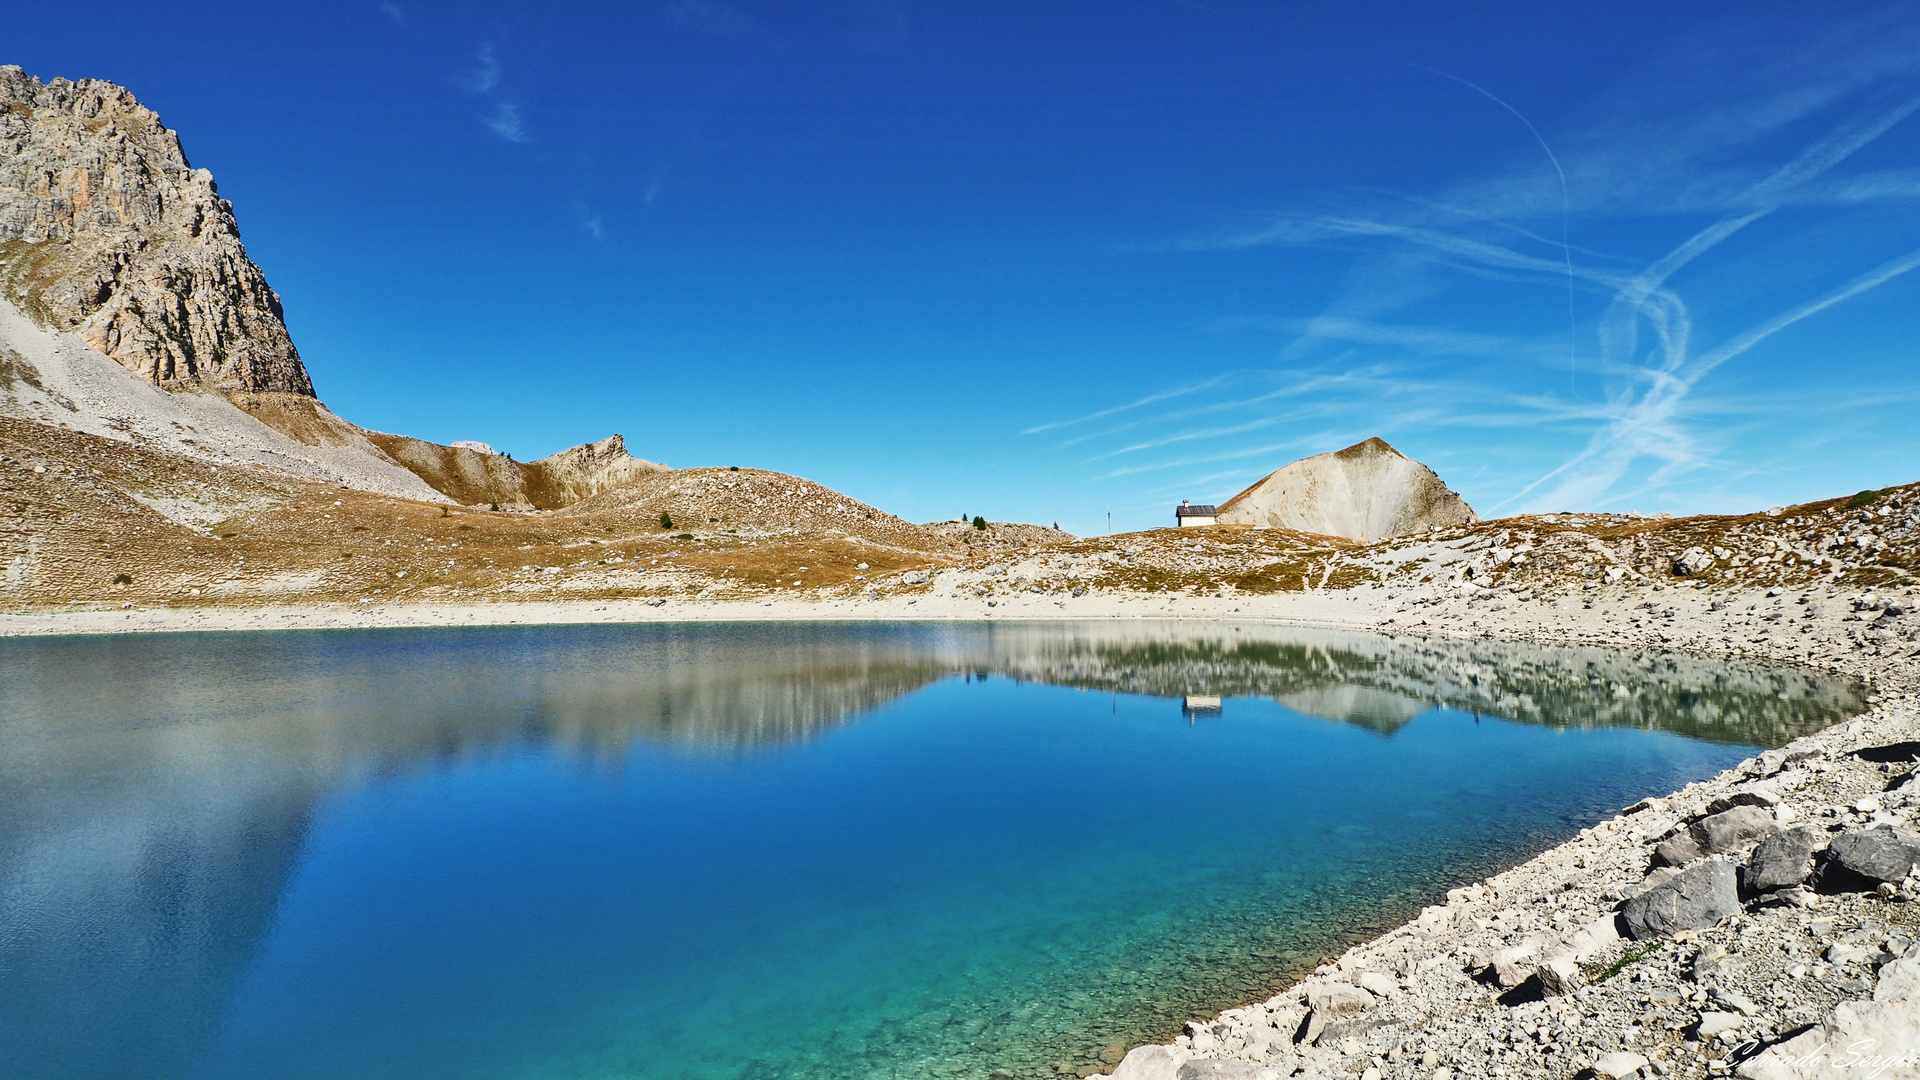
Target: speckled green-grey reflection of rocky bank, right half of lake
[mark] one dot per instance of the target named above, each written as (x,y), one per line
(1381,683)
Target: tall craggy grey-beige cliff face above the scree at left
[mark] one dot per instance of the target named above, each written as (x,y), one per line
(108,232)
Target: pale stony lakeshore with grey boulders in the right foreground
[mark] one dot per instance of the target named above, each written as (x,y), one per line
(1764,923)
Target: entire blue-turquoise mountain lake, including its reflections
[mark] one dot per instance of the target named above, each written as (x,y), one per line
(771,850)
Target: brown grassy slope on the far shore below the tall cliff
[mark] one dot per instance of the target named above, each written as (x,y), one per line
(80,526)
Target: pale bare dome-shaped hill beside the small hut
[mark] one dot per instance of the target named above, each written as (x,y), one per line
(1368,491)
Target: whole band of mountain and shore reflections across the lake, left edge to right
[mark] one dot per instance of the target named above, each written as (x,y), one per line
(160,789)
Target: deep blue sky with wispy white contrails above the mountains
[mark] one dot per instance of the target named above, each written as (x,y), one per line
(1042,260)
